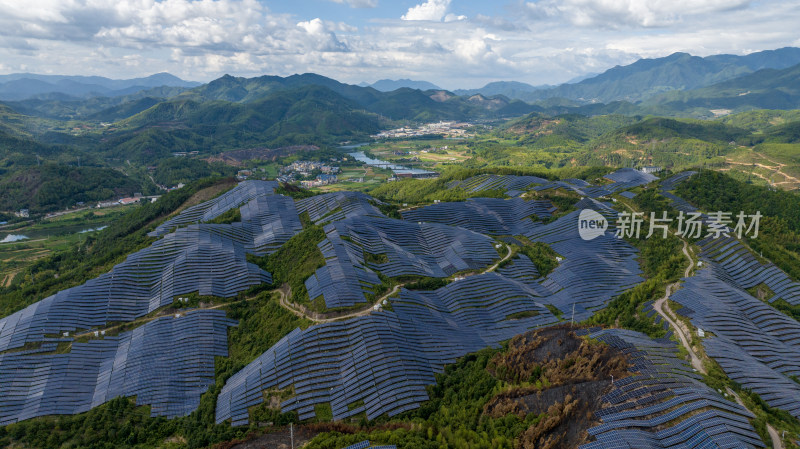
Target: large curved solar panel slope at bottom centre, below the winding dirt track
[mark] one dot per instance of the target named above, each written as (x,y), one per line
(384,359)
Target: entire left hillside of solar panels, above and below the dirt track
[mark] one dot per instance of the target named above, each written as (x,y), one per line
(173,365)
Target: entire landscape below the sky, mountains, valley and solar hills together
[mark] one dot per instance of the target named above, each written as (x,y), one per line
(240,262)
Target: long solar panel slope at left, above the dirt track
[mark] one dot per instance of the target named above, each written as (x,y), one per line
(188,260)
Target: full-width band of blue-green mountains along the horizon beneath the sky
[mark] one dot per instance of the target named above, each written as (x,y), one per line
(234,112)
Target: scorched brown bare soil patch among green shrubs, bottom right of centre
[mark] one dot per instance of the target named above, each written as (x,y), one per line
(560,375)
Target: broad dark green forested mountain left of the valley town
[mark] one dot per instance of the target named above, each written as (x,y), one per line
(311,114)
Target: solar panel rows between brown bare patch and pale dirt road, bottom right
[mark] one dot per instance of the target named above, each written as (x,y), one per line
(665,405)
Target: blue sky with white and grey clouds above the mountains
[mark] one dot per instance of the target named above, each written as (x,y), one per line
(453,43)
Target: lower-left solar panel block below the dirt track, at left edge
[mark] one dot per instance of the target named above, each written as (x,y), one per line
(167,364)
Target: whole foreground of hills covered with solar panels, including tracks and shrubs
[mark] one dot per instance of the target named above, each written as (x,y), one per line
(363,321)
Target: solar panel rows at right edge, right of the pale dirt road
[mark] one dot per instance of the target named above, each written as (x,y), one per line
(755,344)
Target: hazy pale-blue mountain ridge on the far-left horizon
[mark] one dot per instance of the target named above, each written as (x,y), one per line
(21,86)
